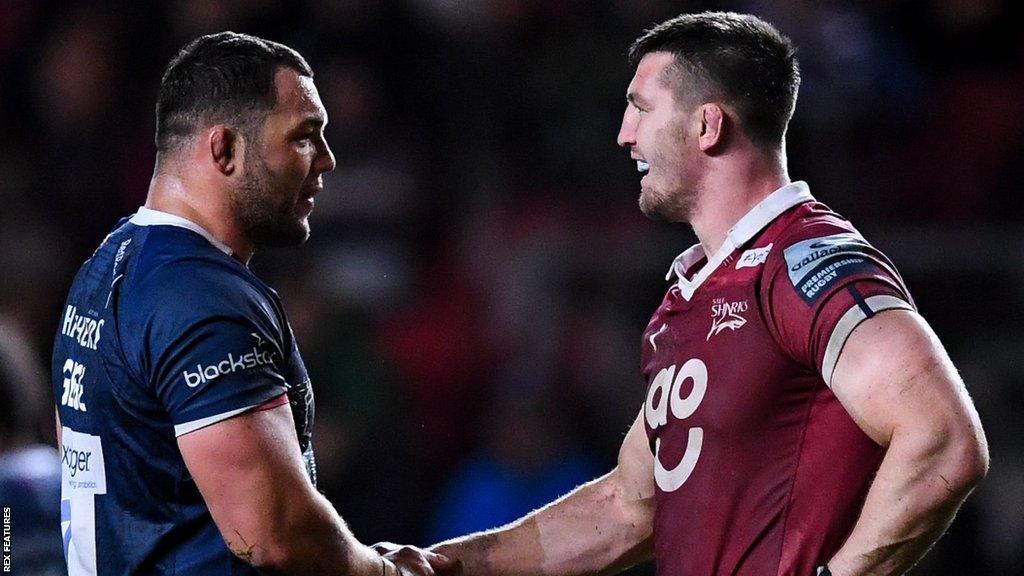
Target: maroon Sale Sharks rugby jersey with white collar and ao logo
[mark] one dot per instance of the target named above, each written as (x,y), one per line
(759,470)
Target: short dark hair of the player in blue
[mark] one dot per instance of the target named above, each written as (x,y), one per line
(226,77)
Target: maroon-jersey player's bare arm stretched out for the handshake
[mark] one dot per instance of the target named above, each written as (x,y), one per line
(603,527)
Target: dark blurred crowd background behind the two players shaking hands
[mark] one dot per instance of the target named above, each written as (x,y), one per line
(472,302)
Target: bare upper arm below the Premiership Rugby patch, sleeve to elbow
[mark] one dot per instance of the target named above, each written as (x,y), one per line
(893,374)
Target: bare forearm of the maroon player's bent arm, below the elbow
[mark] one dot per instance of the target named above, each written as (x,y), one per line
(916,495)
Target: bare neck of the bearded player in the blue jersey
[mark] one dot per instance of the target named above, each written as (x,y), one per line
(196,201)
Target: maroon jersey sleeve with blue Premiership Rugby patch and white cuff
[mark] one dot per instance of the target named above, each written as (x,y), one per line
(820,287)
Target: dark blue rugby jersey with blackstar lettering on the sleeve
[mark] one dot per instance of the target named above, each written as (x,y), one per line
(163,334)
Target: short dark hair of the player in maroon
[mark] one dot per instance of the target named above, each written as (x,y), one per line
(738,58)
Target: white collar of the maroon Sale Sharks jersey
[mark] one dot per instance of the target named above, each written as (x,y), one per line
(754,222)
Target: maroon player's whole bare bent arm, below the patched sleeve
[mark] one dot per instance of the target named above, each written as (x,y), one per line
(899,385)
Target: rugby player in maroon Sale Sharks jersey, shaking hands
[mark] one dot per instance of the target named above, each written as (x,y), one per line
(801,418)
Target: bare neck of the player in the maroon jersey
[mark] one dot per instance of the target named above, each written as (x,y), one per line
(730,192)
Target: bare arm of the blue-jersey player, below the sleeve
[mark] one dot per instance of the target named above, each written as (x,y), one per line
(252,477)
